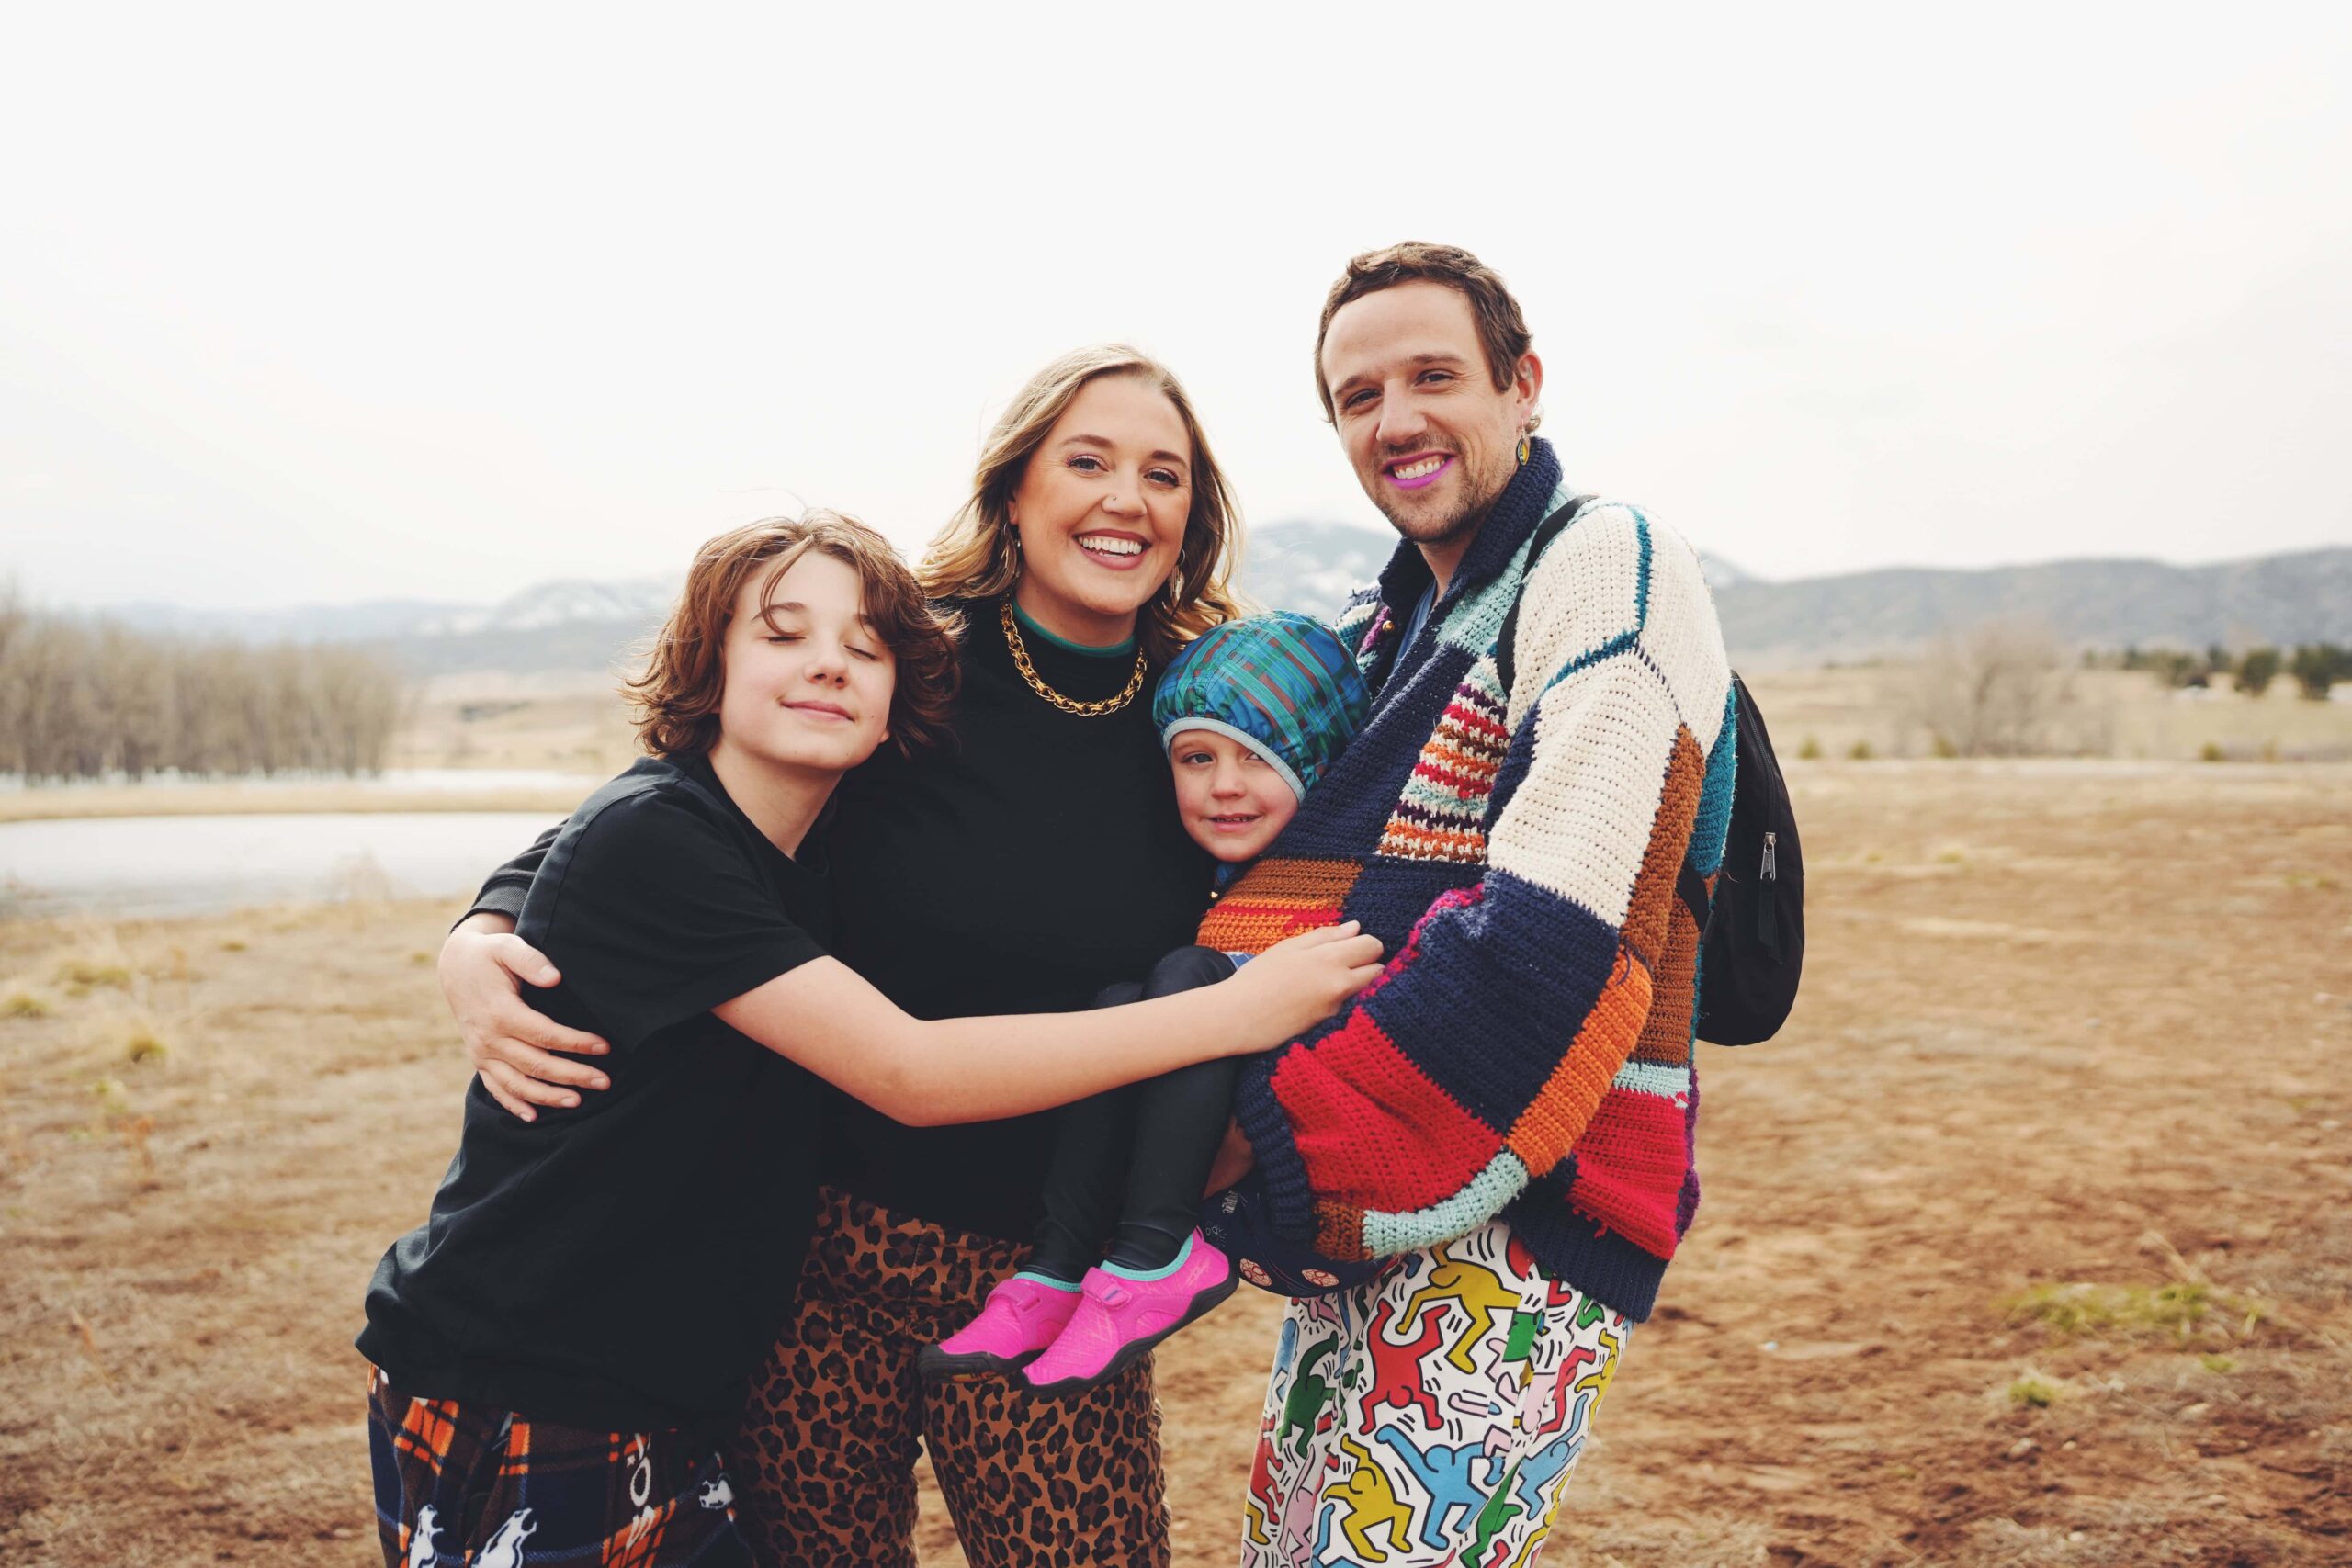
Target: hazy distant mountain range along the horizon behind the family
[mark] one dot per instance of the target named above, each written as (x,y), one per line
(580,626)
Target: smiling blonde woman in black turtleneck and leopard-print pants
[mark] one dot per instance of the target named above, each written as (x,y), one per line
(1022,866)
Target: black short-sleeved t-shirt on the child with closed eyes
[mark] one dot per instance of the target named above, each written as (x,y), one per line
(624,1266)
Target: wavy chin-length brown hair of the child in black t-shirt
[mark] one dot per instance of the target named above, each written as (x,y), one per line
(676,702)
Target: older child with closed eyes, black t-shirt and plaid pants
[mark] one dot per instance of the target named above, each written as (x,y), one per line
(559,1348)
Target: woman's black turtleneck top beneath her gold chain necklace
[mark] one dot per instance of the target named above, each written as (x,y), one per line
(1017,869)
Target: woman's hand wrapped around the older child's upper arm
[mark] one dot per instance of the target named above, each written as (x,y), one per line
(509,1043)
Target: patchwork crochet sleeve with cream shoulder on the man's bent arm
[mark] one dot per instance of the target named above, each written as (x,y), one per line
(1481,1057)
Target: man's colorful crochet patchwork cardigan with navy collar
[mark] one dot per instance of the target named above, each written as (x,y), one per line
(1528,1052)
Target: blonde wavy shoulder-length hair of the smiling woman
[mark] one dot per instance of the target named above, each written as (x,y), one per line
(975,556)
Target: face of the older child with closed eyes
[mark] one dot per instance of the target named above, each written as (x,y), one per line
(808,683)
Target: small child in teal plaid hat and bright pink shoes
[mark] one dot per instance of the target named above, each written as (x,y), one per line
(1252,713)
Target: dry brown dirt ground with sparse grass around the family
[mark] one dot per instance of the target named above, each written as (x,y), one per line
(2029,1242)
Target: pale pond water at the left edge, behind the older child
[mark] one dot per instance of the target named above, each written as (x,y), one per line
(149,866)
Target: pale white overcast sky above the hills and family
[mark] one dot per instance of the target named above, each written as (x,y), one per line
(326,304)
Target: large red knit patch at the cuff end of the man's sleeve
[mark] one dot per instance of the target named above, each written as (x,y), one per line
(1372,1130)
